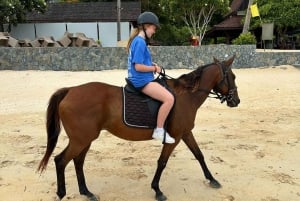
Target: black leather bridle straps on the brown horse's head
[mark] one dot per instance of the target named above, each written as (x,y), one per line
(232,89)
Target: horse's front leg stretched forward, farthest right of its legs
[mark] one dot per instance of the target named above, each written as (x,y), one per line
(190,141)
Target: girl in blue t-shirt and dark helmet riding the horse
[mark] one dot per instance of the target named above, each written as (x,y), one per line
(141,71)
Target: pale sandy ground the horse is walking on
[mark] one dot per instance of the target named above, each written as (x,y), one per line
(252,150)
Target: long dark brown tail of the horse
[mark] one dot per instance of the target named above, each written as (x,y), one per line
(53,125)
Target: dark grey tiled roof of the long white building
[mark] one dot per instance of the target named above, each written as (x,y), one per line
(87,12)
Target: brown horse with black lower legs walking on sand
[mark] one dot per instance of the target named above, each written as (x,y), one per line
(87,109)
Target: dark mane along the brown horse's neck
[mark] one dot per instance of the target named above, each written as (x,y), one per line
(190,81)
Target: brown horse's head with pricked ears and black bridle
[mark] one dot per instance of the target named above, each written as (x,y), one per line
(226,89)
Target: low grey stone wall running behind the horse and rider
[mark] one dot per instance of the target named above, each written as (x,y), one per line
(175,57)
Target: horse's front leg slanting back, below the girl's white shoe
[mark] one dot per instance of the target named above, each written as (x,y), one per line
(161,164)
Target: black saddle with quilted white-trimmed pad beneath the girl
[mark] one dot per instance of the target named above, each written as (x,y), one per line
(139,110)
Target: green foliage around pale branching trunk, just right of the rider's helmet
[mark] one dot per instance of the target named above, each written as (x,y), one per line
(172,12)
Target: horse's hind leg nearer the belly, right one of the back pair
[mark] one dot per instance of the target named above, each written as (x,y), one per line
(78,163)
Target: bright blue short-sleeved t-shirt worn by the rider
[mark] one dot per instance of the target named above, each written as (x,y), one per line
(139,53)
